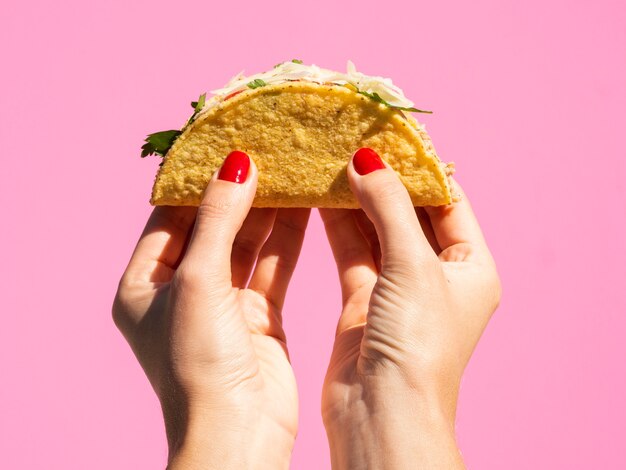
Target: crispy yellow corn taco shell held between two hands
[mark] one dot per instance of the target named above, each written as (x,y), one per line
(301,136)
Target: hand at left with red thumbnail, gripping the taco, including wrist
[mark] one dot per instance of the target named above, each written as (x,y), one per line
(205,324)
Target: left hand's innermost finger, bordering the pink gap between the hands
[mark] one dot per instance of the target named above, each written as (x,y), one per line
(278,257)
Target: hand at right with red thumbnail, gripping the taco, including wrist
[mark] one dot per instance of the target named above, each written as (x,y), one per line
(418,288)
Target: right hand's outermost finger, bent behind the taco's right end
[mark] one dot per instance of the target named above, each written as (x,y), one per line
(456,227)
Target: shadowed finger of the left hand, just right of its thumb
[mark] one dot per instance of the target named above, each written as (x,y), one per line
(248,243)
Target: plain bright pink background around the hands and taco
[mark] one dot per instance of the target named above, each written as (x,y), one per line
(529,100)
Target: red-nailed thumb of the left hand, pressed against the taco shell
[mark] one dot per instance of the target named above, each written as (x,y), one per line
(222,211)
